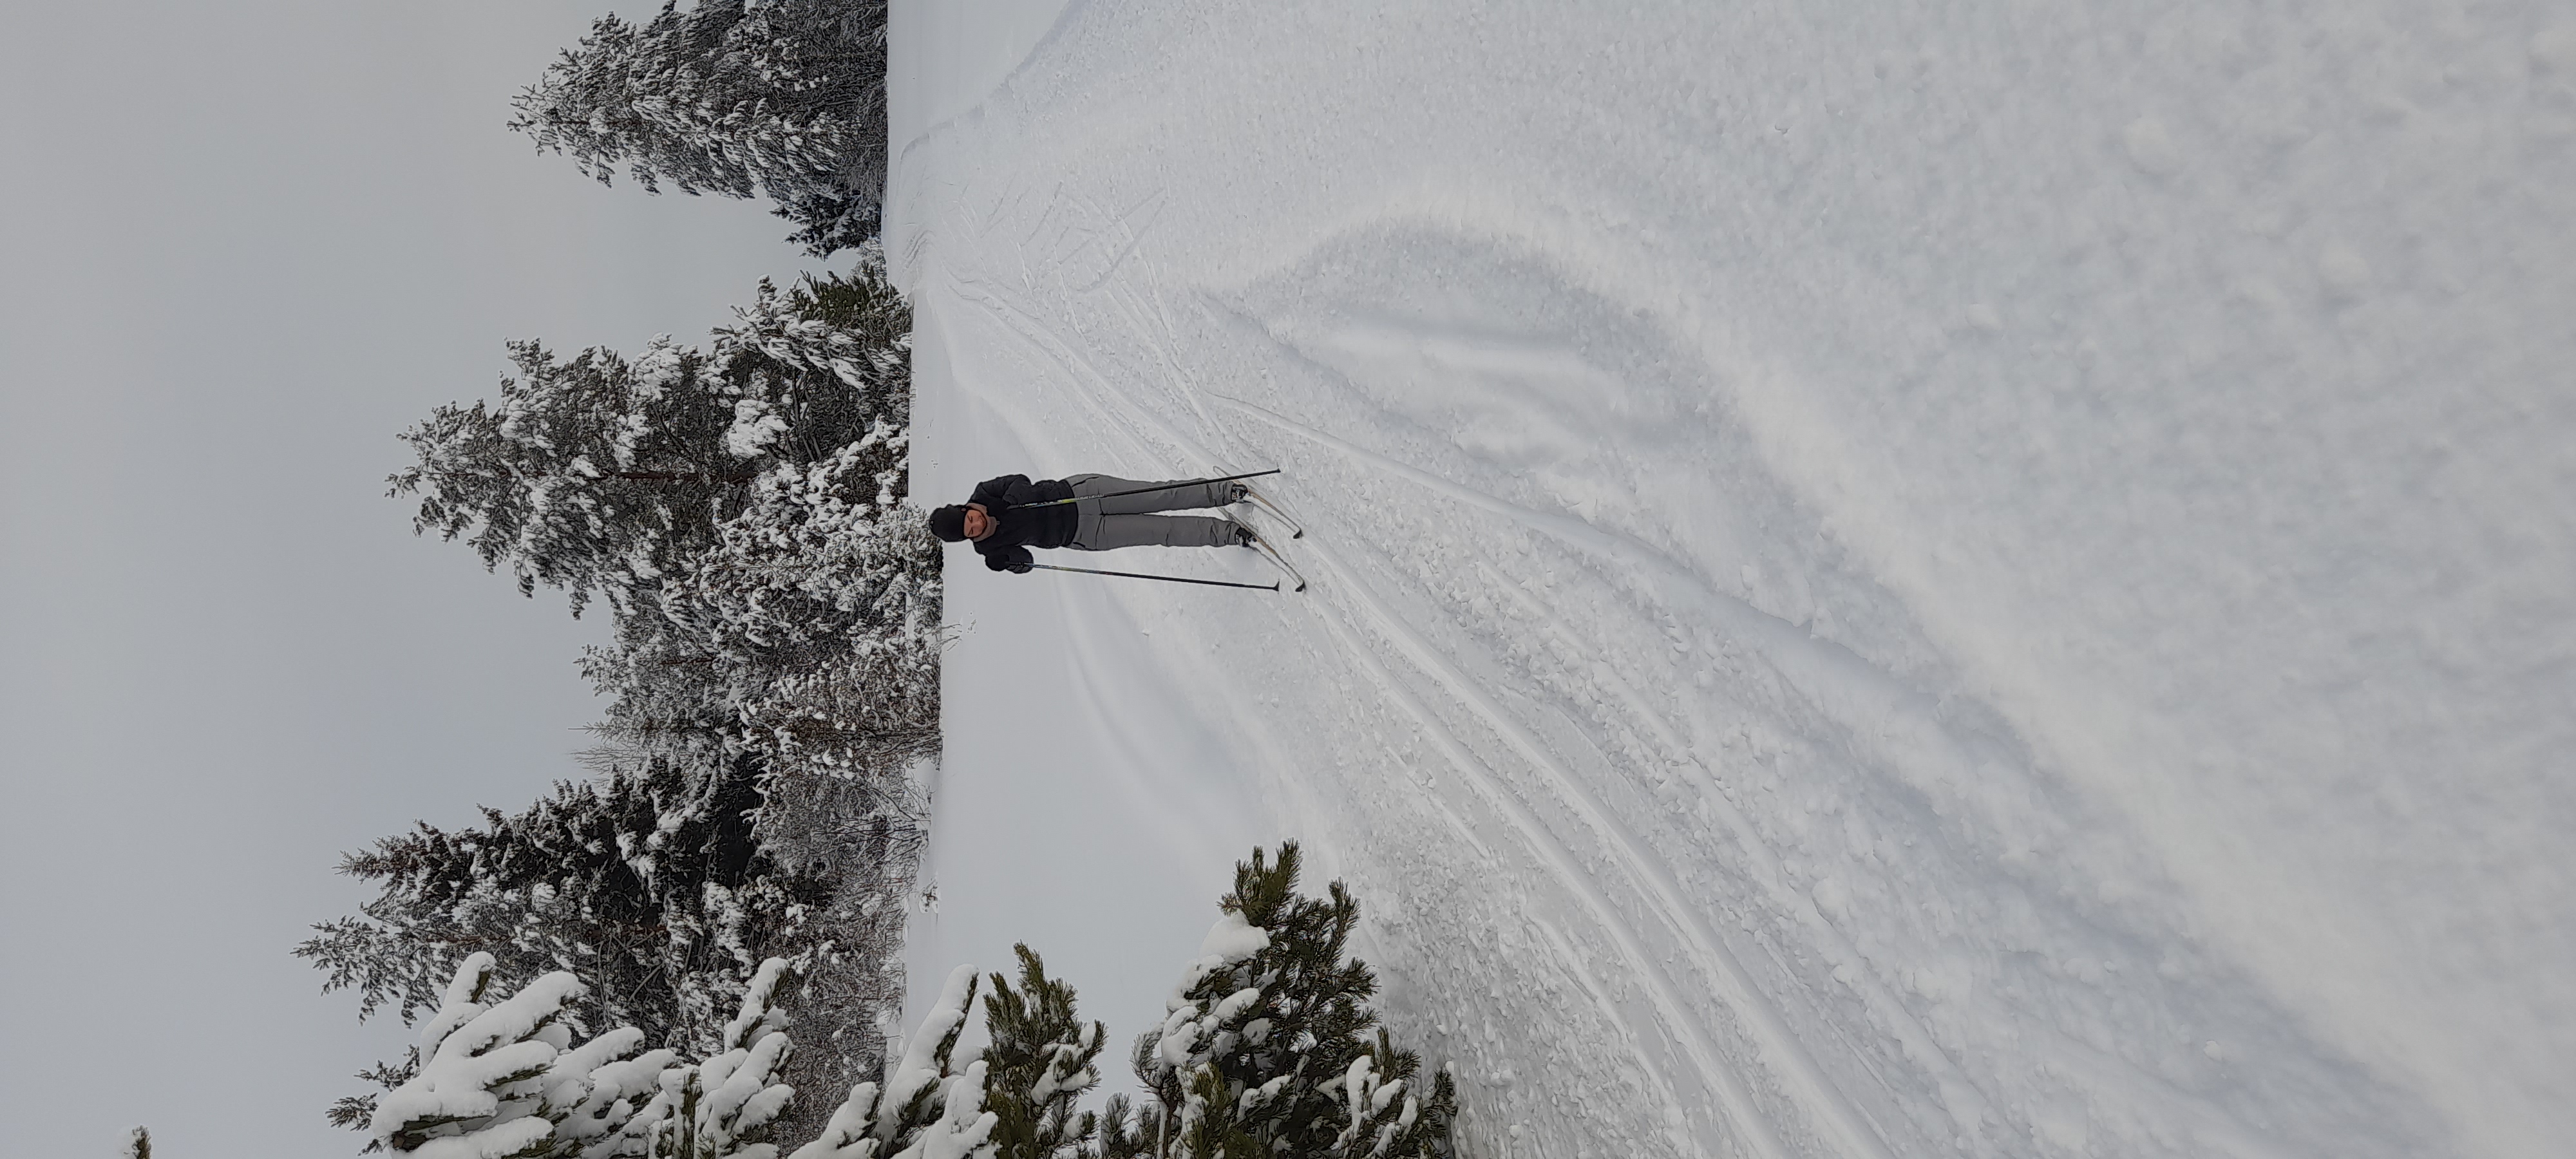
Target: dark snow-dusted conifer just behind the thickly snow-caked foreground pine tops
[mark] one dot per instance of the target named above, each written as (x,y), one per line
(645,882)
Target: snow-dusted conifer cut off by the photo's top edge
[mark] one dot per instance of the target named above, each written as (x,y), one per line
(782,99)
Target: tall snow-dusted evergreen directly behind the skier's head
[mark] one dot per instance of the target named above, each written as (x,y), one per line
(604,475)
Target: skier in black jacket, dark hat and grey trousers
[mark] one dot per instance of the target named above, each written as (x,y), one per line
(1009,516)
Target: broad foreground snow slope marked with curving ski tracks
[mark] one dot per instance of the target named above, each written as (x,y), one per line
(1887,581)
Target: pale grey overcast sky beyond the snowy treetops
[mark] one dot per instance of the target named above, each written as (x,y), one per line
(241,249)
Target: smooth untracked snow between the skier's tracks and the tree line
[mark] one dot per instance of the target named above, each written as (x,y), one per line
(1057,771)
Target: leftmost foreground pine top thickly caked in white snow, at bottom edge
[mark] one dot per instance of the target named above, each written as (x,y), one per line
(504,1078)
